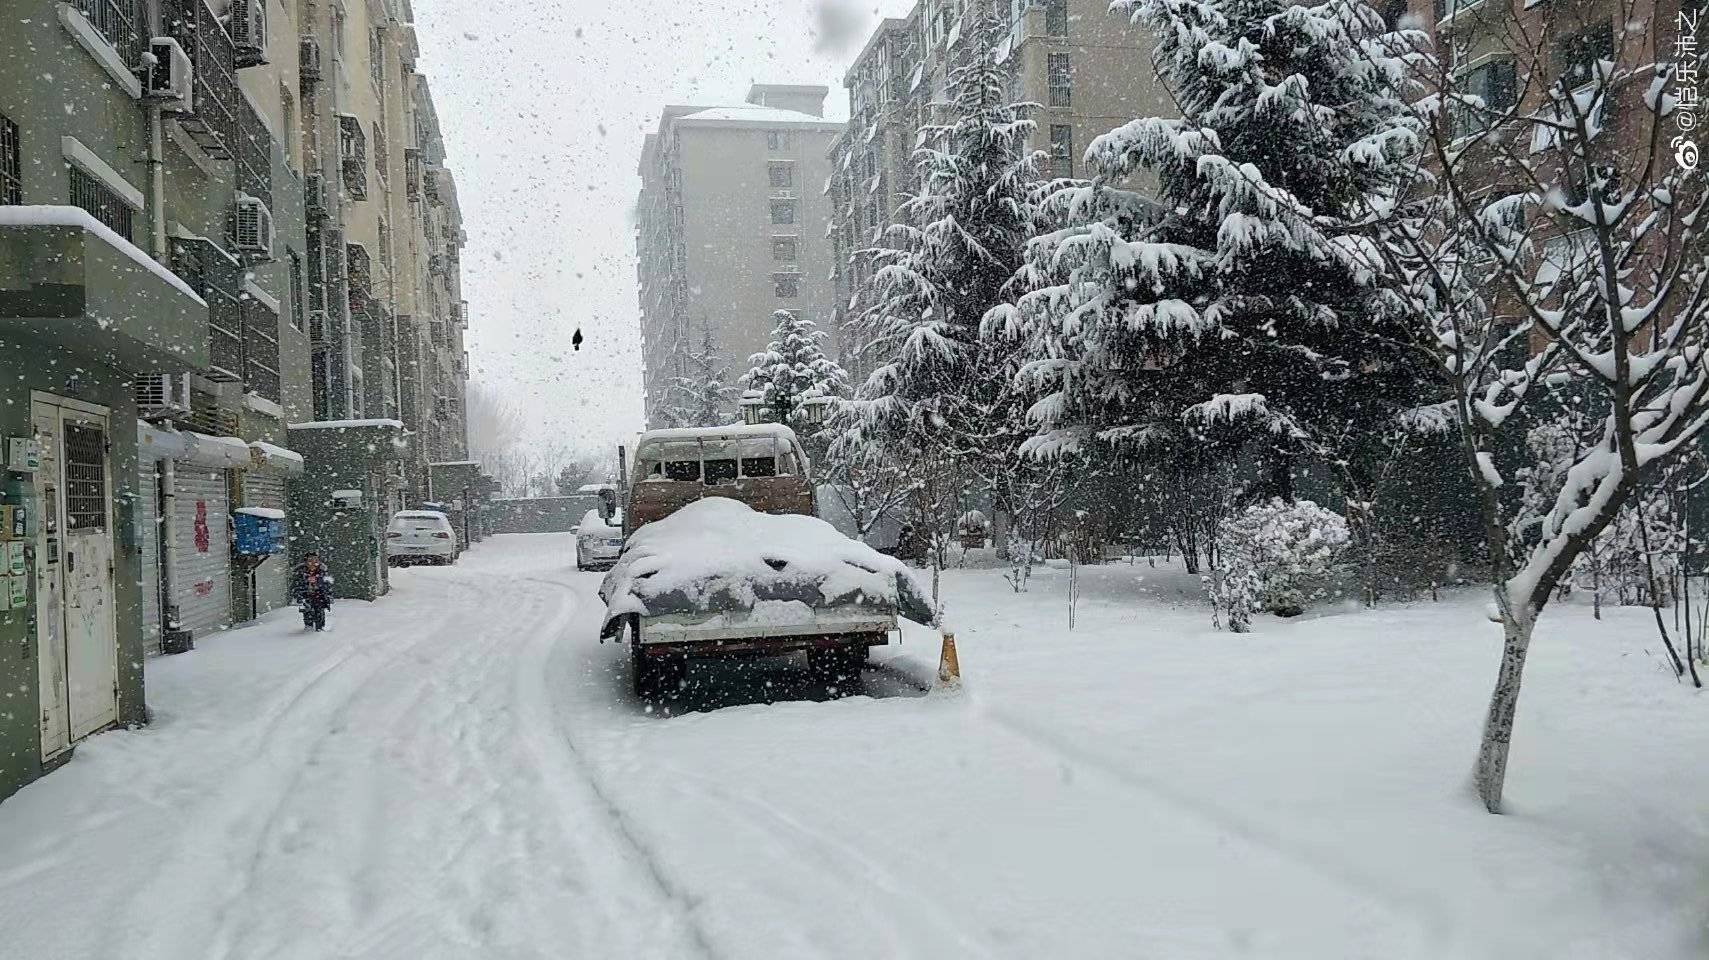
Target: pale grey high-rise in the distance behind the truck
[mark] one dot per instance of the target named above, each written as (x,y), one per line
(731,230)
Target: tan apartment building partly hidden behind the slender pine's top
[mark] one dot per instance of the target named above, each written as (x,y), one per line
(1084,67)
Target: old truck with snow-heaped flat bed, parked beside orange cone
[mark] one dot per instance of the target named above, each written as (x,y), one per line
(724,558)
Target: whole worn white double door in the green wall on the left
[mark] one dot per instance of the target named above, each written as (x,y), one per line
(76,626)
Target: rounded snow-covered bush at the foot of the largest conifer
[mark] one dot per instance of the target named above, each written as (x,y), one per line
(1279,558)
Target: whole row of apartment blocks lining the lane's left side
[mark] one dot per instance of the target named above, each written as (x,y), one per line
(175,272)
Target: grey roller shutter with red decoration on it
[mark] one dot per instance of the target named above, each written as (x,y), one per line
(203,549)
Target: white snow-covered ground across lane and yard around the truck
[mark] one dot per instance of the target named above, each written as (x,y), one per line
(459,771)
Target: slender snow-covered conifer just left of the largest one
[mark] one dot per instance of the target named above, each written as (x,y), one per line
(941,385)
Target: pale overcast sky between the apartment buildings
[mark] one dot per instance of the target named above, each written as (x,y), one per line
(544,108)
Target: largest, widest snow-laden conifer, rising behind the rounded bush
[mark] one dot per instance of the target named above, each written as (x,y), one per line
(1233,307)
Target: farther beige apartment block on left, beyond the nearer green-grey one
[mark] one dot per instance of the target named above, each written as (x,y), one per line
(385,295)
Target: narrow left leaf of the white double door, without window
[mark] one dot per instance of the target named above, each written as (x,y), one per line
(50,587)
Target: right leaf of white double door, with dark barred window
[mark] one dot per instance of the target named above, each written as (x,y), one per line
(86,500)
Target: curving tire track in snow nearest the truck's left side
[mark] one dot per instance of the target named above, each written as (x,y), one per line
(558,752)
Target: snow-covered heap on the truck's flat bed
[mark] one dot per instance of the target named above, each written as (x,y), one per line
(717,556)
